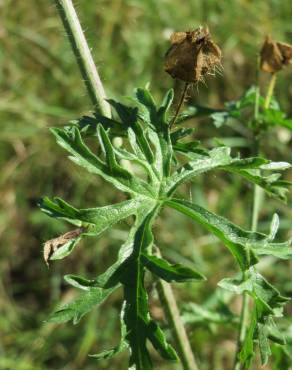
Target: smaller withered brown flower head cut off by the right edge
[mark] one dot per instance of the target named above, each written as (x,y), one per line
(275,55)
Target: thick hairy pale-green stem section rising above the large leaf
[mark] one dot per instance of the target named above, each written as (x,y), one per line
(83,56)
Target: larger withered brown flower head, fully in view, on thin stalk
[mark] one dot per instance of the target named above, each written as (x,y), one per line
(192,55)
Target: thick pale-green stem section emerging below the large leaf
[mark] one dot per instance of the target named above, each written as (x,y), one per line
(171,310)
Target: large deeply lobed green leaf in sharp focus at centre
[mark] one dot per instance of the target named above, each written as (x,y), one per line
(150,146)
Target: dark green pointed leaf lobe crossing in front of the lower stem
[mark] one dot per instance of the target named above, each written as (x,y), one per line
(169,272)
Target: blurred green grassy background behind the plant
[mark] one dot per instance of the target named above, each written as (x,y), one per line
(41,87)
